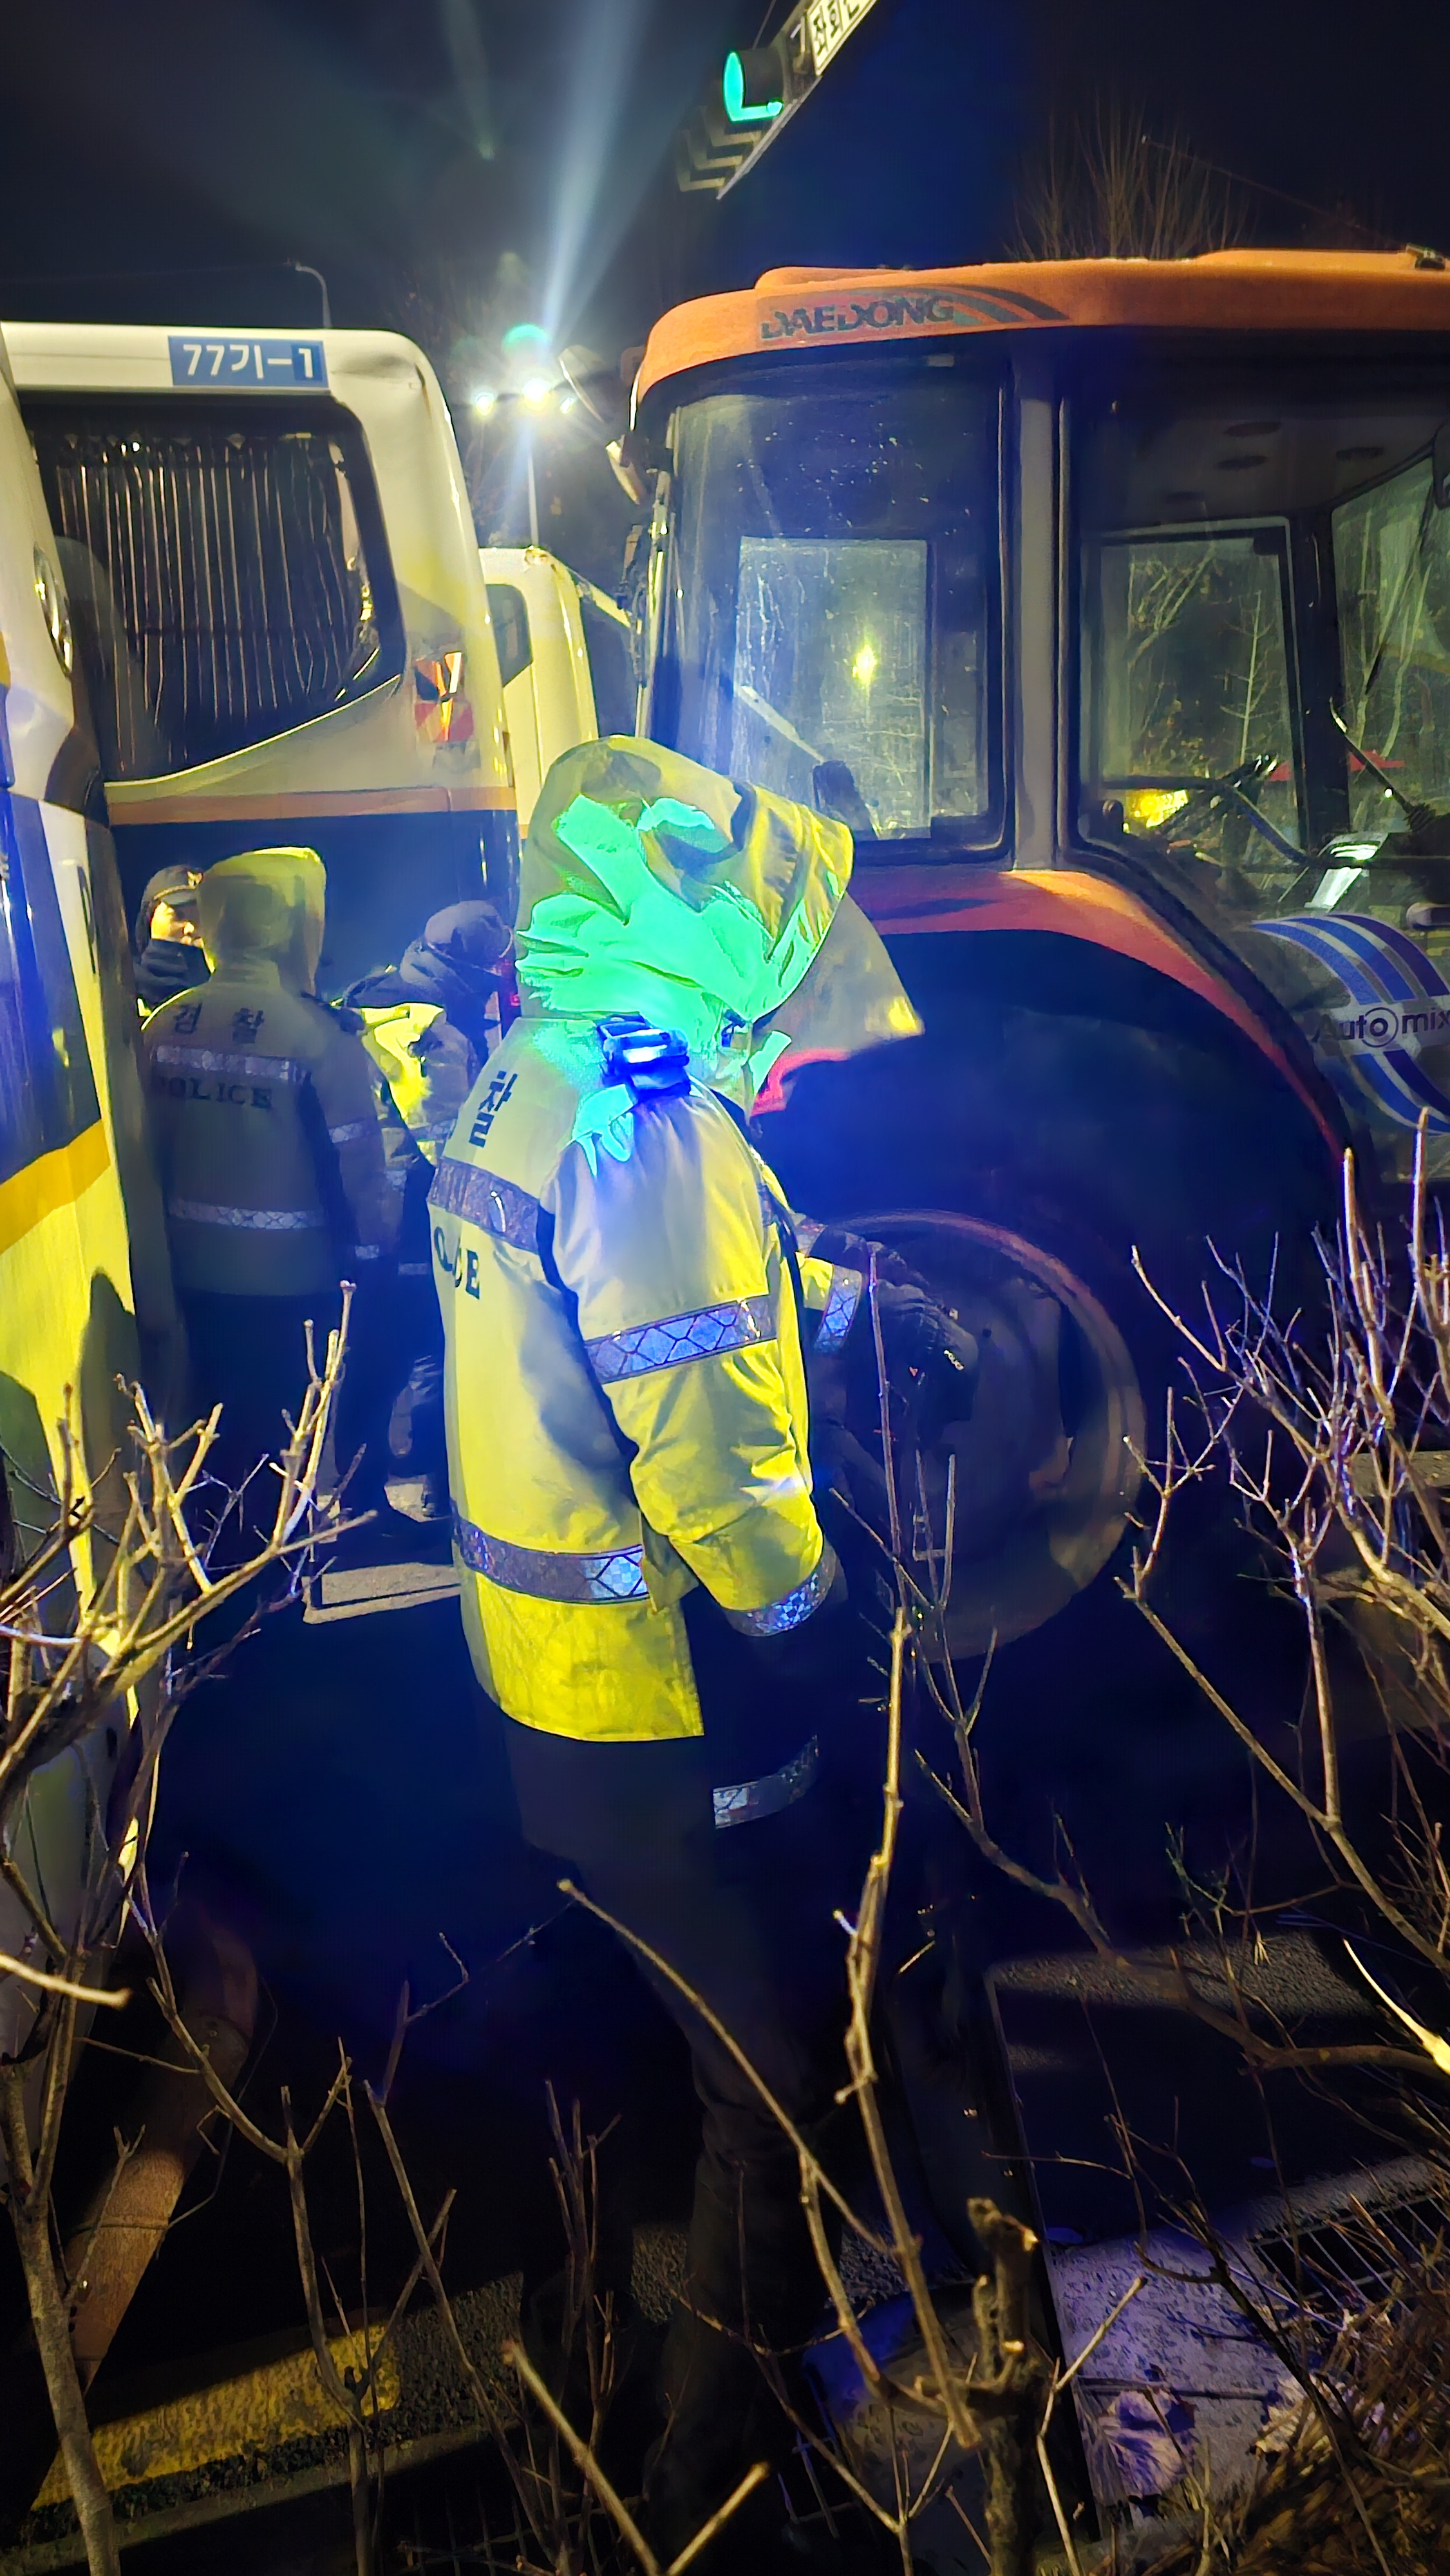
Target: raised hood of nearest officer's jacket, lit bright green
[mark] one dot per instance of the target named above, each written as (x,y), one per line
(658,887)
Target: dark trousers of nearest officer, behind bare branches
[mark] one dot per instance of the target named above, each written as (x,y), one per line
(748,1923)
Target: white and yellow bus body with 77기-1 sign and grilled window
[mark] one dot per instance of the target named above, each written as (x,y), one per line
(279,612)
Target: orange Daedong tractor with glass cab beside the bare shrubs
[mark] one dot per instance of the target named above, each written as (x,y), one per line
(1111,607)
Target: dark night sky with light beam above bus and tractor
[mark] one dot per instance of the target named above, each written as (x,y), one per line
(457,166)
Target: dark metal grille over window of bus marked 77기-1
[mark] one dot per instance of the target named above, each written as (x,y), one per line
(218,583)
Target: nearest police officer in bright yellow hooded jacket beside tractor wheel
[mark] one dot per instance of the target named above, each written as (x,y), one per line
(648,1588)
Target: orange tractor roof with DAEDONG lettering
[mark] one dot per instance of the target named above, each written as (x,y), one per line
(1225,290)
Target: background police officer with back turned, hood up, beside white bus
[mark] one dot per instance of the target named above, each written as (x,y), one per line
(272,1153)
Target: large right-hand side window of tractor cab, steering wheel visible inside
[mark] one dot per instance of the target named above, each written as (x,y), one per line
(1266,635)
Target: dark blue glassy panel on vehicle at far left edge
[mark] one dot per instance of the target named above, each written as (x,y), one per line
(48,1091)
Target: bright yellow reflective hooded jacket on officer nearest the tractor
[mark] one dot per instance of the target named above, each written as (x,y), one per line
(627,1395)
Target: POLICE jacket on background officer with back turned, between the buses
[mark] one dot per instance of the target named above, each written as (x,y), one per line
(264,1101)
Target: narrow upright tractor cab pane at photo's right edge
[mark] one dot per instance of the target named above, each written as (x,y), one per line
(1392,581)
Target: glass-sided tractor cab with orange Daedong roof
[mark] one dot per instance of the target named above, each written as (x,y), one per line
(1114,578)
